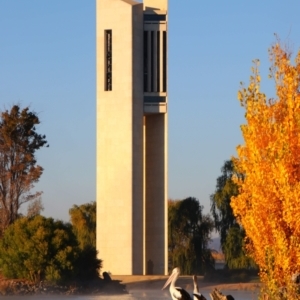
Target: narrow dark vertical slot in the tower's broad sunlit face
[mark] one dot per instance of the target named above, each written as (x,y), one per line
(108,60)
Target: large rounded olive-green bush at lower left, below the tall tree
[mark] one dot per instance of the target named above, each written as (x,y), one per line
(39,248)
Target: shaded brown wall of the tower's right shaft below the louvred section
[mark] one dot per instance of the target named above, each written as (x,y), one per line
(155,192)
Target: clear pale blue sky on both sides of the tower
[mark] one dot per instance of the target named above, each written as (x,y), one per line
(47,61)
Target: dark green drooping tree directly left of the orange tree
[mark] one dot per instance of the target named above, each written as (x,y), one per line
(231,233)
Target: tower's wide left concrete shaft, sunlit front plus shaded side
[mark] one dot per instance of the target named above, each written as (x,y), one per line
(119,141)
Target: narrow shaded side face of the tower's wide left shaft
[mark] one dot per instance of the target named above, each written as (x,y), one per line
(137,146)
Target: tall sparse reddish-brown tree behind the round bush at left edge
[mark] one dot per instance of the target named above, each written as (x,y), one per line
(19,141)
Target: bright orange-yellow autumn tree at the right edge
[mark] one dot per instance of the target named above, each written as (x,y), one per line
(268,206)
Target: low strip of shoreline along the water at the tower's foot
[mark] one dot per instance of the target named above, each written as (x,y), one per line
(118,285)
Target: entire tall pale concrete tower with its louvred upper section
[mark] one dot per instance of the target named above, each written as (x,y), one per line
(132,136)
